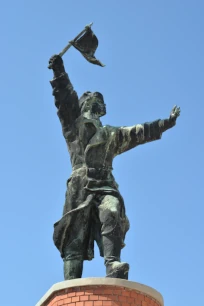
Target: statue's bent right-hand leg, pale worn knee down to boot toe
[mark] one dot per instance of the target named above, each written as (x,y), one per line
(112,237)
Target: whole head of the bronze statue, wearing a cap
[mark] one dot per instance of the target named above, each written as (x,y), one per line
(92,102)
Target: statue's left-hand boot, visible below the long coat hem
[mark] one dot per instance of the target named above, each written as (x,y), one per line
(73,269)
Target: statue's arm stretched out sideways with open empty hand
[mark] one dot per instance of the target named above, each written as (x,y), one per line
(130,137)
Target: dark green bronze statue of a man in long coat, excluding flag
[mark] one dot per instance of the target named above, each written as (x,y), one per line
(94,208)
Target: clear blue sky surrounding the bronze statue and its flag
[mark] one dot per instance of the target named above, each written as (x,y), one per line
(153,51)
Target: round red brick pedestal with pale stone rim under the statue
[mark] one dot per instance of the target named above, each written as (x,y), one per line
(100,292)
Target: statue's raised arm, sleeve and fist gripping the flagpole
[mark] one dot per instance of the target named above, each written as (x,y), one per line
(66,99)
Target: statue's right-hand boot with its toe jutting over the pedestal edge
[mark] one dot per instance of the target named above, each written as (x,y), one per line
(112,250)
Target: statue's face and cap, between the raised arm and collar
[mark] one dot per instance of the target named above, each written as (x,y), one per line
(95,104)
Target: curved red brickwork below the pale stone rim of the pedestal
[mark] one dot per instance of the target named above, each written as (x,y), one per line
(100,296)
